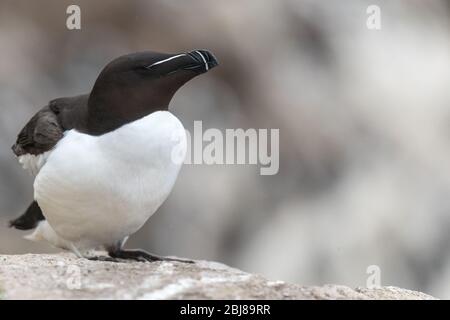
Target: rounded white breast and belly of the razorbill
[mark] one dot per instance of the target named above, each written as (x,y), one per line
(98,190)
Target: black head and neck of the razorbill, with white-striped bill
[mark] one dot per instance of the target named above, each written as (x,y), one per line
(135,85)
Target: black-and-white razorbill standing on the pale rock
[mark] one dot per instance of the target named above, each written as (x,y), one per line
(104,162)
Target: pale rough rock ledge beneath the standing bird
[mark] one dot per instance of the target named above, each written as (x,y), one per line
(63,276)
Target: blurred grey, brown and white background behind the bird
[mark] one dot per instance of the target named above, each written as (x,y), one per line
(364,119)
